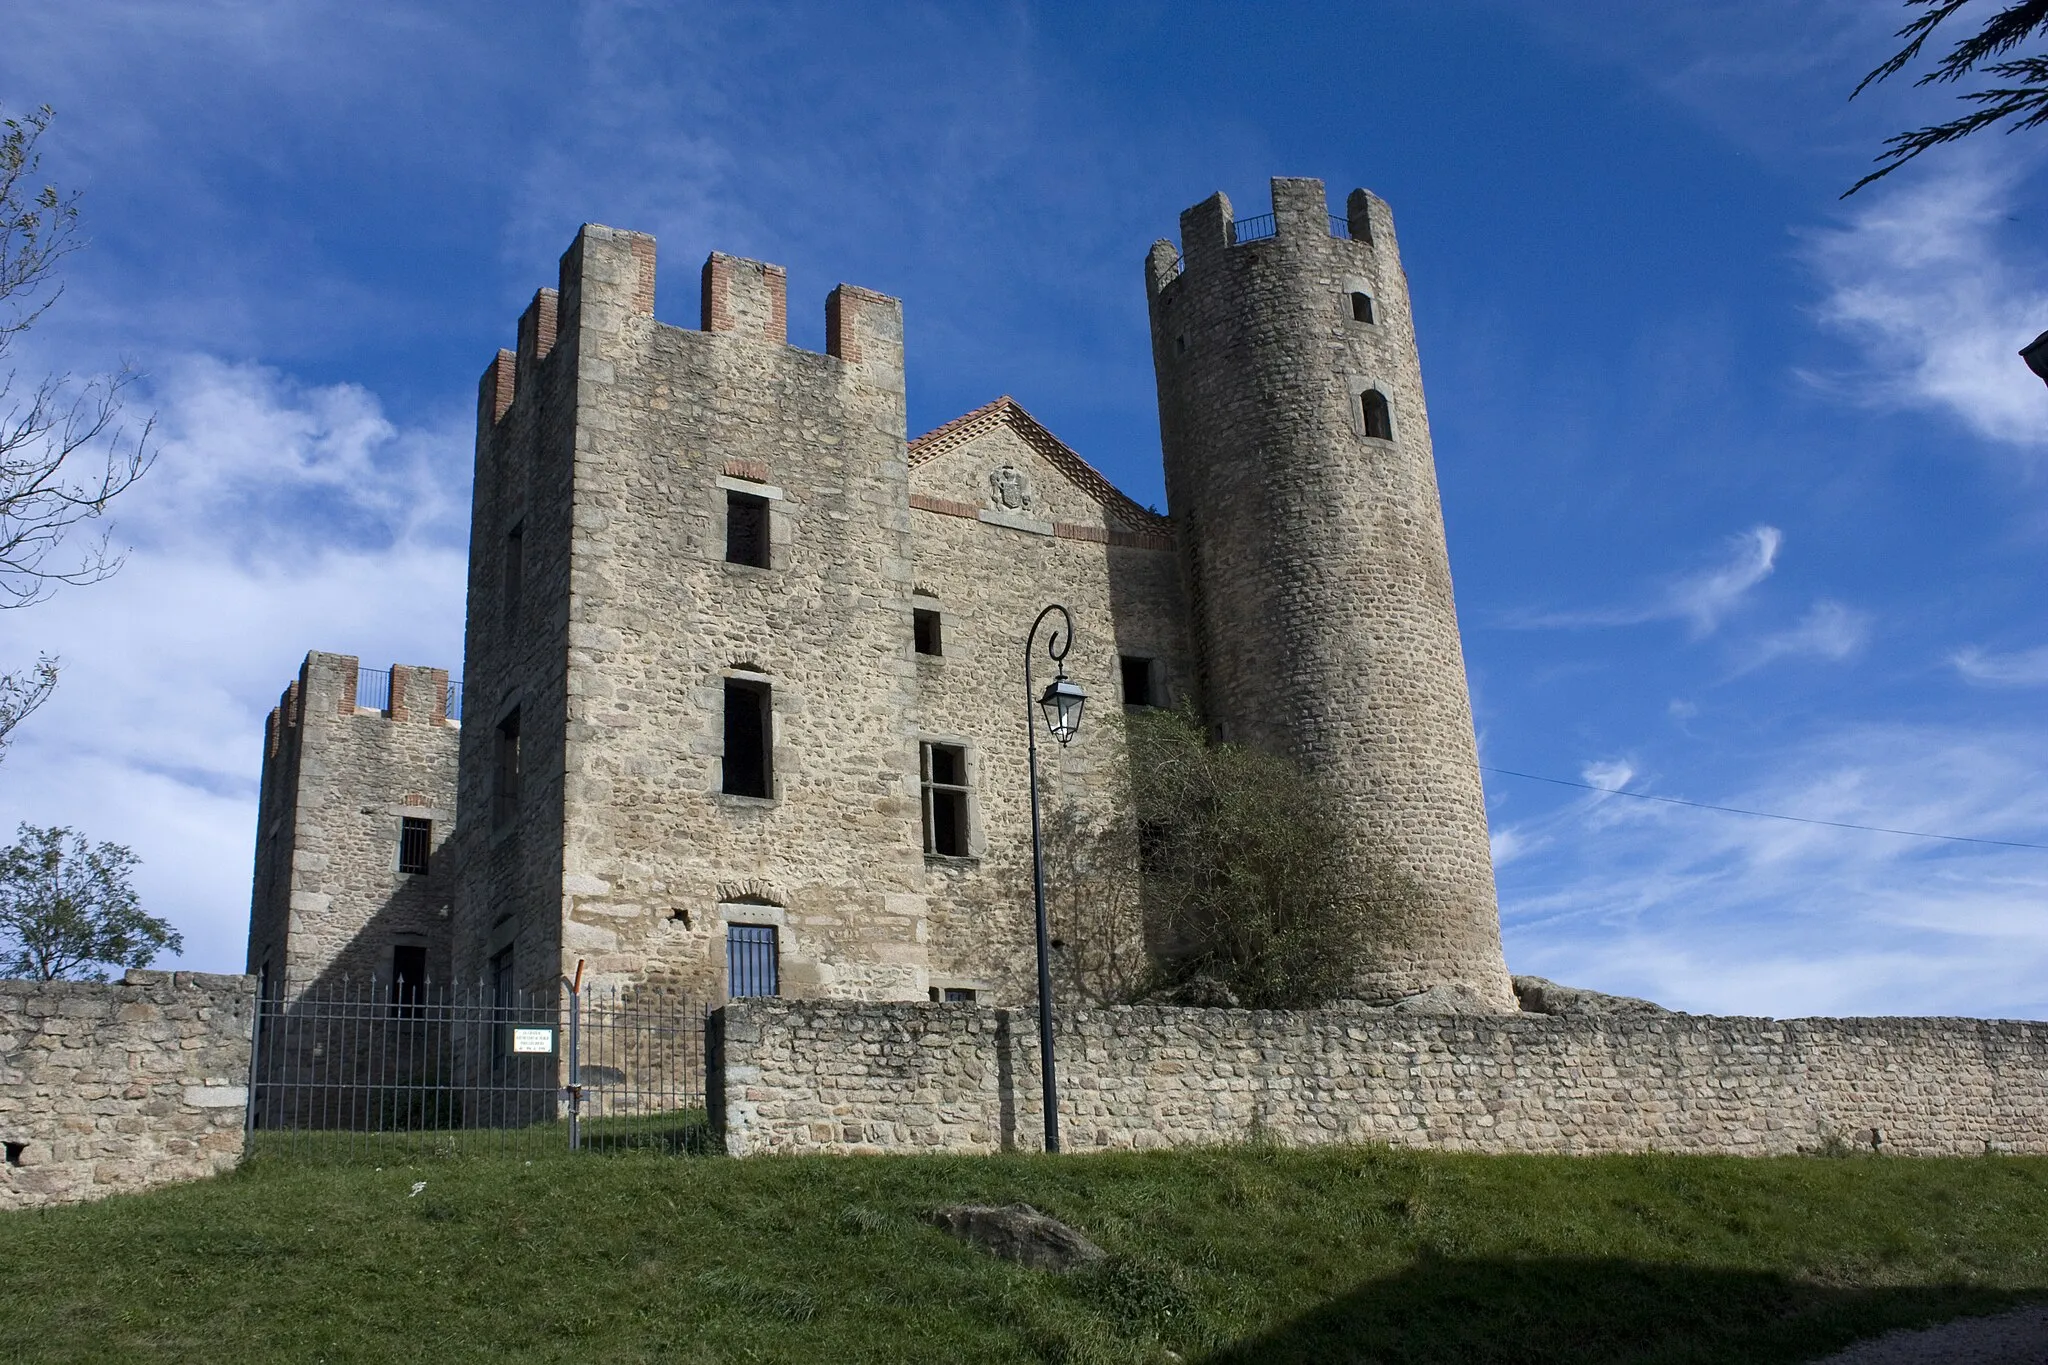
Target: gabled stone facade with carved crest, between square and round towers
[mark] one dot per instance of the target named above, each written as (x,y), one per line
(988,580)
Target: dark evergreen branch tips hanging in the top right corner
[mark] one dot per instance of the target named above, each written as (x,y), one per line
(2022,93)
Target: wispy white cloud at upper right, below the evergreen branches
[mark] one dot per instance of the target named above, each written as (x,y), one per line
(1922,285)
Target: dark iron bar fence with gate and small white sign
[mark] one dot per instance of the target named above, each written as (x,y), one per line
(374,1071)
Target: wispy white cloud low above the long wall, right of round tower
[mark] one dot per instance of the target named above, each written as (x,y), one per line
(1732,914)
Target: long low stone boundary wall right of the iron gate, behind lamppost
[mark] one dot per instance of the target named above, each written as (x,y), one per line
(839,1077)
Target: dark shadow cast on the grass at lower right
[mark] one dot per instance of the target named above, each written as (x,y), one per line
(1506,1313)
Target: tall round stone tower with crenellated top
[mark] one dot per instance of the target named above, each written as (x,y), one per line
(1304,496)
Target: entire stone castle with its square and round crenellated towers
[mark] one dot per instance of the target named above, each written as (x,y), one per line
(742,703)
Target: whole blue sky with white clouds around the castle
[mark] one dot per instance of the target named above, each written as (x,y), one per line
(1748,494)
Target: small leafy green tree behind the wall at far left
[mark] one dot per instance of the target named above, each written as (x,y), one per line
(69,912)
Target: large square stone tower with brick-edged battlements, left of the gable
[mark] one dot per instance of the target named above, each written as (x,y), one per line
(691,752)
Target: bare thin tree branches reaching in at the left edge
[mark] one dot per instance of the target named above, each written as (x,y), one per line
(65,453)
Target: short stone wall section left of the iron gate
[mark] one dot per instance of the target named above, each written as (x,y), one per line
(112,1088)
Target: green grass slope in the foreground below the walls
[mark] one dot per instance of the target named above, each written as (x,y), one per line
(1226,1256)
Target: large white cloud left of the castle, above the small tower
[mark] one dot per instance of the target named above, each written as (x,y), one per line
(280,519)
